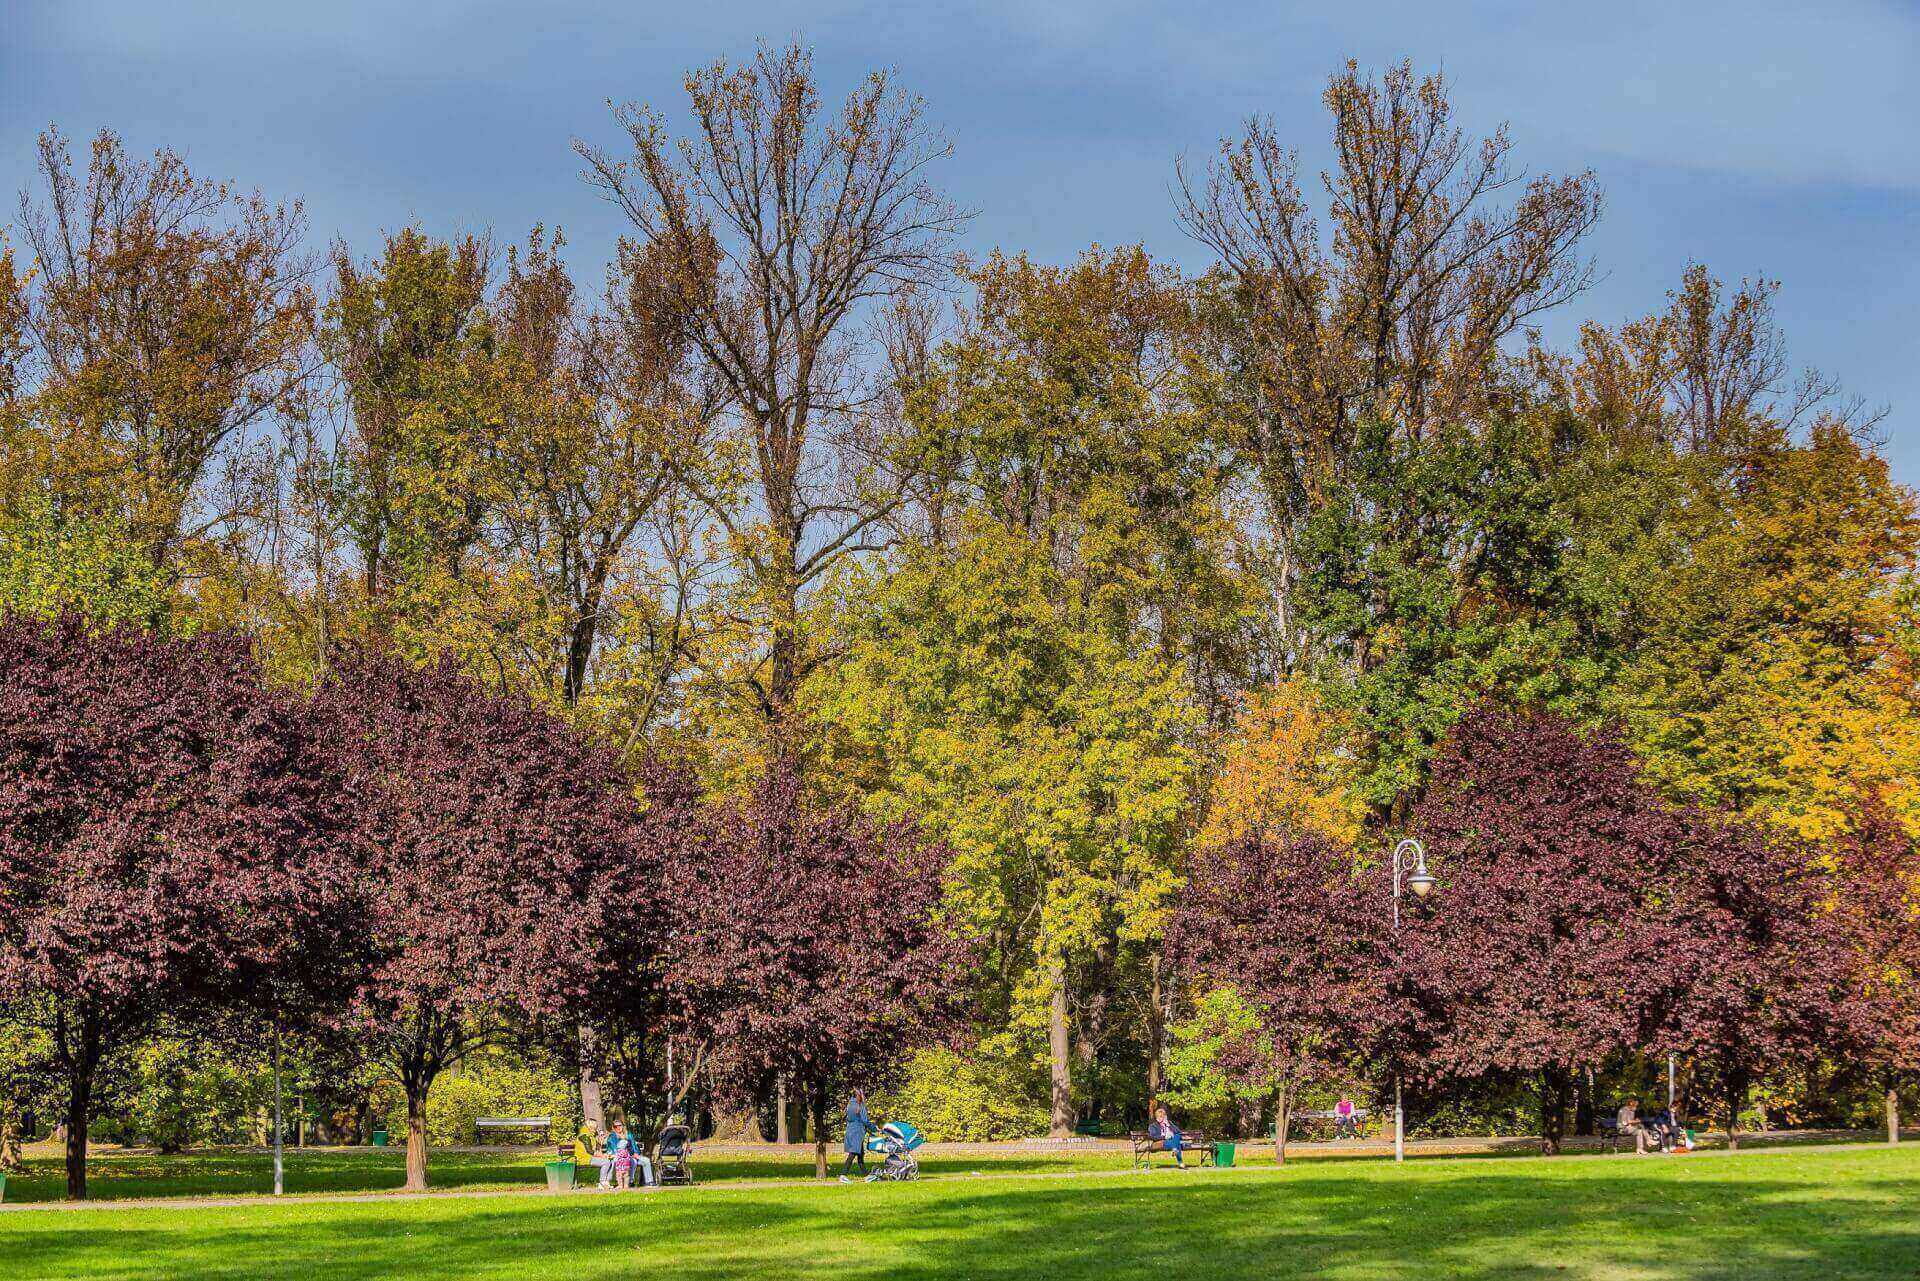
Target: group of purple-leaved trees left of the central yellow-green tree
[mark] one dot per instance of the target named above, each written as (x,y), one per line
(418,869)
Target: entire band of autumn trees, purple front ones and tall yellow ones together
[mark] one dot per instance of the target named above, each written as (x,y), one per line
(804,644)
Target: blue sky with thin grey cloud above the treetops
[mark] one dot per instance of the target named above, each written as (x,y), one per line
(1779,139)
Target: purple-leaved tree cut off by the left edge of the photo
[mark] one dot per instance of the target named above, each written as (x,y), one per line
(172,840)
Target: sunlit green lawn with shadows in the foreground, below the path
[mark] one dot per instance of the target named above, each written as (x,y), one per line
(1764,1215)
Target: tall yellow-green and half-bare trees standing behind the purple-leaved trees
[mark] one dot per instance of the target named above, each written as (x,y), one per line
(1082,569)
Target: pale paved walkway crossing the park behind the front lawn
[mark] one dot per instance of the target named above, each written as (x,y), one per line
(1756,1146)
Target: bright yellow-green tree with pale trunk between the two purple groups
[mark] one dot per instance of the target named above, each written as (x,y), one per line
(1055,760)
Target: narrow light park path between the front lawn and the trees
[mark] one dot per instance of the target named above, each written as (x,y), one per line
(1762,1148)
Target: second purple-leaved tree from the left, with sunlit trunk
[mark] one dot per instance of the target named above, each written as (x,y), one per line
(483,823)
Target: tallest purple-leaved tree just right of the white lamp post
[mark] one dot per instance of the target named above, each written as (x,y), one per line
(1545,946)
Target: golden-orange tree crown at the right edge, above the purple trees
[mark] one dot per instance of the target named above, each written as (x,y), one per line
(1775,671)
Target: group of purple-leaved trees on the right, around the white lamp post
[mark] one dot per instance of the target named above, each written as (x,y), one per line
(1579,921)
